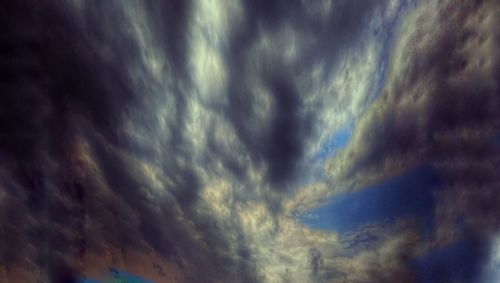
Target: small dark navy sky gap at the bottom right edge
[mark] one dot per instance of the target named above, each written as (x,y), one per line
(459,261)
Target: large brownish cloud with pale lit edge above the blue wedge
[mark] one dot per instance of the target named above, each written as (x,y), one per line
(435,110)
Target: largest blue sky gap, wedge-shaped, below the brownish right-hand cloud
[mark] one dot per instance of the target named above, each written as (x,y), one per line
(408,195)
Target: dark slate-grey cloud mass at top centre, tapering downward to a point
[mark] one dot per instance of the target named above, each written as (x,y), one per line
(279,141)
